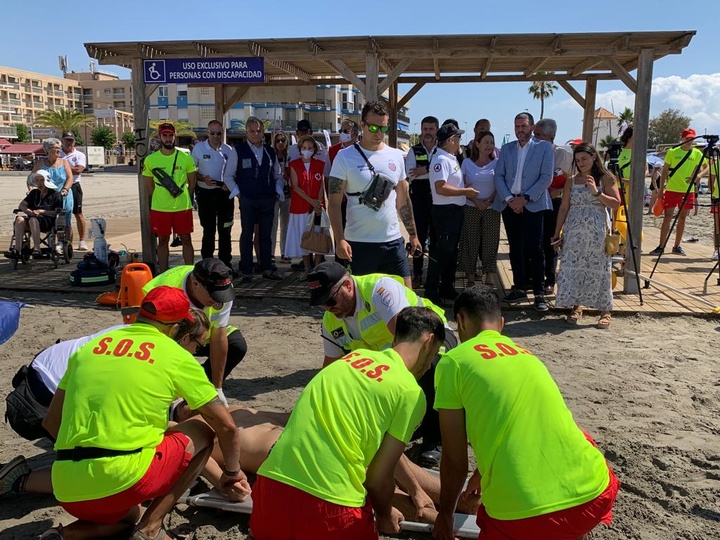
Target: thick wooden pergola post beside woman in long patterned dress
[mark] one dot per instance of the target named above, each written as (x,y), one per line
(638,166)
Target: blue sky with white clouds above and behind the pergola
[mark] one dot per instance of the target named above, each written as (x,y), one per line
(689,82)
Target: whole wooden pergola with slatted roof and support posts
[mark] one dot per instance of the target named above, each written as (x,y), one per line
(378,64)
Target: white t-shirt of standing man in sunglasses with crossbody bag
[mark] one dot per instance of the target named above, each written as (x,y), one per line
(365,224)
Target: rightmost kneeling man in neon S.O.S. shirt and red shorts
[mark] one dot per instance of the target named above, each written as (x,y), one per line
(539,474)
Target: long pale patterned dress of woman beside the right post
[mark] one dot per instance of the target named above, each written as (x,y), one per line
(584,278)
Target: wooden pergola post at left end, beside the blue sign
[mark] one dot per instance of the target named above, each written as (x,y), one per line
(142,148)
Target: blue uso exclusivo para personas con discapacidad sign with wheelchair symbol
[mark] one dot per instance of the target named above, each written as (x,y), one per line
(204,70)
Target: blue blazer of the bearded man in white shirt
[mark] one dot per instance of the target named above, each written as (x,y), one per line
(536,175)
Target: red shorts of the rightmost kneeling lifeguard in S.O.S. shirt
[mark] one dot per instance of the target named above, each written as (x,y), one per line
(568,524)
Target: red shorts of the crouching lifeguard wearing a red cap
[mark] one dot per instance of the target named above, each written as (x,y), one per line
(167,466)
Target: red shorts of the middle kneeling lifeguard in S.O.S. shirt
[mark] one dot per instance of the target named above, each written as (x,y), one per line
(282,512)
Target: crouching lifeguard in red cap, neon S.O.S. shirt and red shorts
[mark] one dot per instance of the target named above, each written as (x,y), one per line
(109,417)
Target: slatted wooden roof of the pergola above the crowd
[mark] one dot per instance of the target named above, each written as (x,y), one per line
(492,56)
